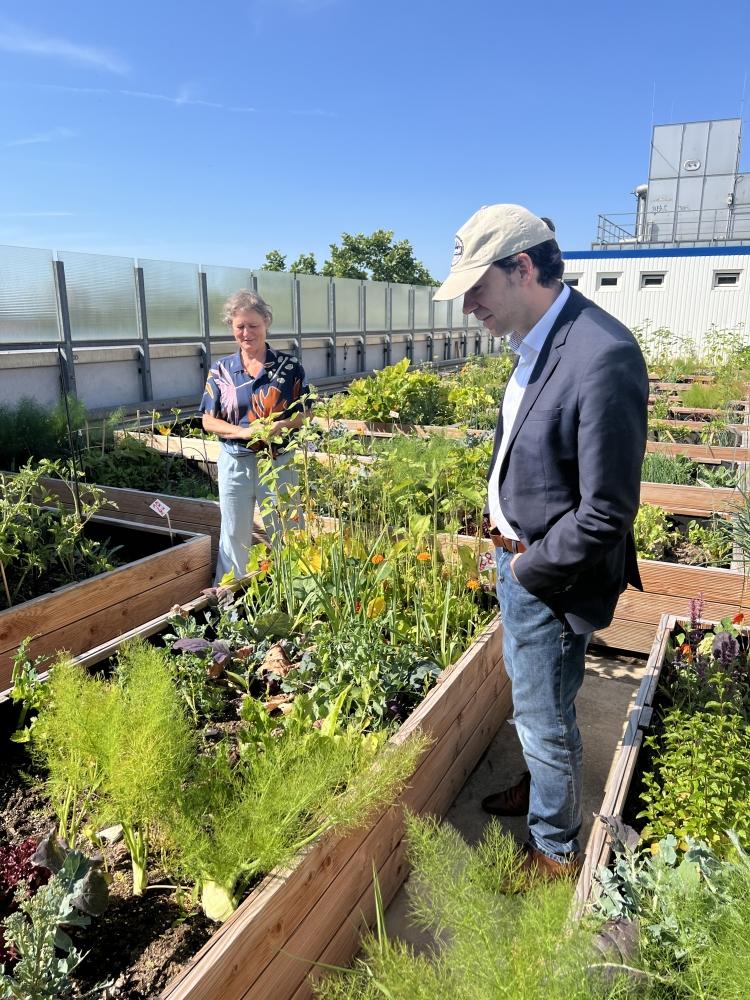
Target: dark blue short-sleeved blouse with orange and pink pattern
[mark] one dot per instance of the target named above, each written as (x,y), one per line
(233,395)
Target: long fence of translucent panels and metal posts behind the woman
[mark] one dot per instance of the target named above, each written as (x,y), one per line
(84,303)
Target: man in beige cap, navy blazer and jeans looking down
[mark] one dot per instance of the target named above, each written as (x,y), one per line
(564,488)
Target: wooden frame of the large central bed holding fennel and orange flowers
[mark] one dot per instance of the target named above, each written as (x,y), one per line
(317,909)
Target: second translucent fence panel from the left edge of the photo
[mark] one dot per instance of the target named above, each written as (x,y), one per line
(101,296)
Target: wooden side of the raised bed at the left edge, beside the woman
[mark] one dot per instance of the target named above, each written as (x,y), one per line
(163,571)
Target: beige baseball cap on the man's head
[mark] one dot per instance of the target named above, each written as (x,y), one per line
(492,233)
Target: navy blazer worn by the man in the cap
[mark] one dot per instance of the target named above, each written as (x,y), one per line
(571,477)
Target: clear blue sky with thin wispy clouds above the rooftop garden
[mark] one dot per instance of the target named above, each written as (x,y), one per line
(216,132)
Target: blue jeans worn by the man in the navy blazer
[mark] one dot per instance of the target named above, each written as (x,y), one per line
(545,661)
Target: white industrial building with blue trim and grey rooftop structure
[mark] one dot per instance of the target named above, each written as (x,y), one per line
(681,260)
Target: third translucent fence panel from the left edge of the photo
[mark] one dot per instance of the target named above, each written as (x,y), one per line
(172,299)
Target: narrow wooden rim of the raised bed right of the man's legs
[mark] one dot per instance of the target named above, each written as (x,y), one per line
(598,848)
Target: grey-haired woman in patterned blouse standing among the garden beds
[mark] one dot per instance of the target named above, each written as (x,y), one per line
(255,382)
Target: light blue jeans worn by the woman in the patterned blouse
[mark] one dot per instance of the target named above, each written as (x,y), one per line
(239,489)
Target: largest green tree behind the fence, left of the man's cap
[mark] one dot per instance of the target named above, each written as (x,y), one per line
(376,257)
